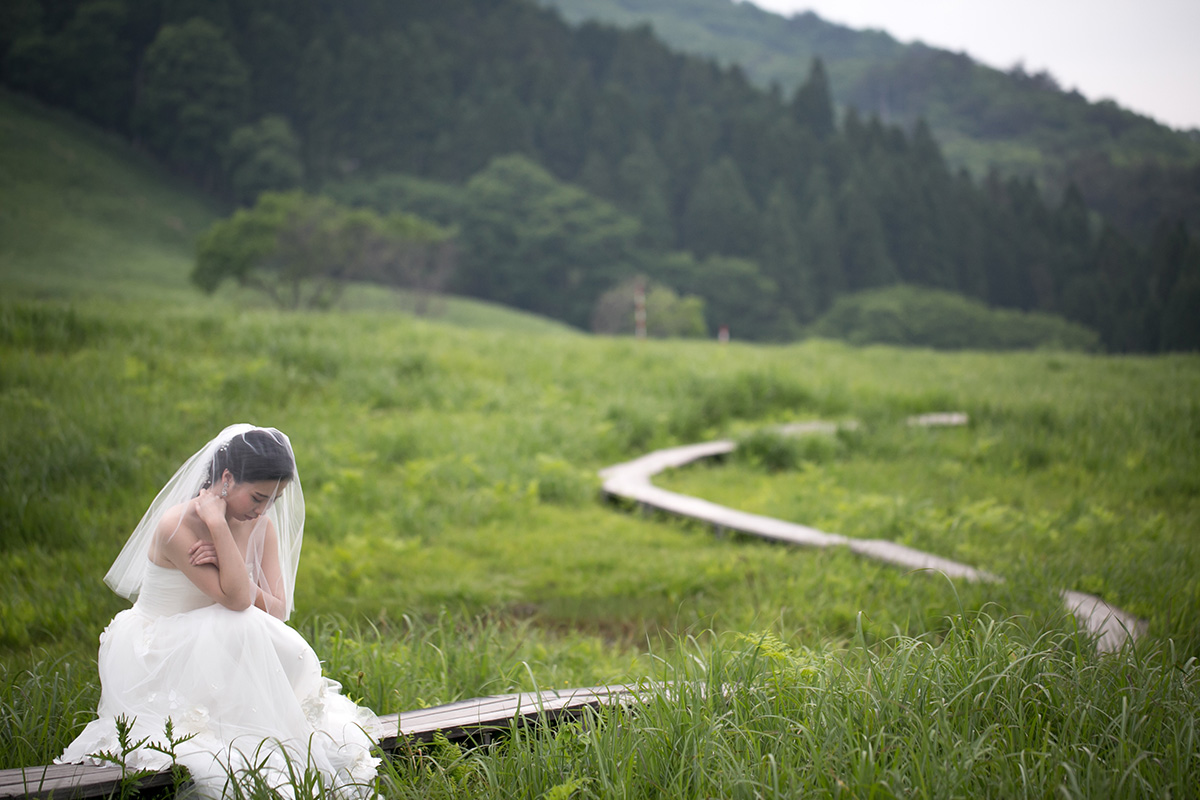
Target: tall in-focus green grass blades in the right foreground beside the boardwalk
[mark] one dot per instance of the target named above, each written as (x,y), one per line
(995,709)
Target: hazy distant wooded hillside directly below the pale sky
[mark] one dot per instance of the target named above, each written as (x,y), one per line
(983,118)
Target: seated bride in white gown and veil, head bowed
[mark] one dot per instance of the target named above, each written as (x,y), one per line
(212,568)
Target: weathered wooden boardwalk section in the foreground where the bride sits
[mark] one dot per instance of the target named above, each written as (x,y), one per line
(476,720)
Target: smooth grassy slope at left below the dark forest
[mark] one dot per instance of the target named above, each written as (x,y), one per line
(88,218)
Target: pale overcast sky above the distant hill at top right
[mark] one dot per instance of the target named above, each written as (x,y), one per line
(1145,55)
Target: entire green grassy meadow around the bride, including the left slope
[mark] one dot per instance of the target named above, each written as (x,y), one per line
(458,545)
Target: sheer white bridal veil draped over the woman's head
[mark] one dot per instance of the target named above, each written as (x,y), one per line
(286,513)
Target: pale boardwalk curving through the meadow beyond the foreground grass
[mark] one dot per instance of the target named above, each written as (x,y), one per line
(632,482)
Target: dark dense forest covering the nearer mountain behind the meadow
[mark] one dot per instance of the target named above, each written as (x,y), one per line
(569,161)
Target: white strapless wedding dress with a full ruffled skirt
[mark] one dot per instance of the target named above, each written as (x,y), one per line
(247,689)
